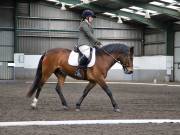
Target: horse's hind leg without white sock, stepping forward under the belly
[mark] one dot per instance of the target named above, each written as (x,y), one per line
(61,79)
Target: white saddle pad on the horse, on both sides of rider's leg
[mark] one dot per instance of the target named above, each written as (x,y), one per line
(73,58)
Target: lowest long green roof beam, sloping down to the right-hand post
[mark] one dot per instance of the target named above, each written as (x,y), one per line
(138,18)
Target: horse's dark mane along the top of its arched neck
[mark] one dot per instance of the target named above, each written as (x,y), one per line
(113,48)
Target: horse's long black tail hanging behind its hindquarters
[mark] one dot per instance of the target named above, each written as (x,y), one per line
(37,79)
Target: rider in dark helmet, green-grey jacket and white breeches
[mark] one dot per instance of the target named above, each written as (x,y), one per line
(86,40)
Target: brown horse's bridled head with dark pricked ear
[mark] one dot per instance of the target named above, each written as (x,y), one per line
(127,61)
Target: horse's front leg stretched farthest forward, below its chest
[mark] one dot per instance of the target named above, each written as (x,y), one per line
(104,86)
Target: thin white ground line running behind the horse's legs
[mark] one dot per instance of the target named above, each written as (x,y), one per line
(131,83)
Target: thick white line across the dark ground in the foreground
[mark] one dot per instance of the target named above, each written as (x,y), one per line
(88,122)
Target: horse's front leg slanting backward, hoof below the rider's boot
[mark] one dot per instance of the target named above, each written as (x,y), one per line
(85,92)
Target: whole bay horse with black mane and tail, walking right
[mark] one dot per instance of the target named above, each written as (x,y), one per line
(55,61)
